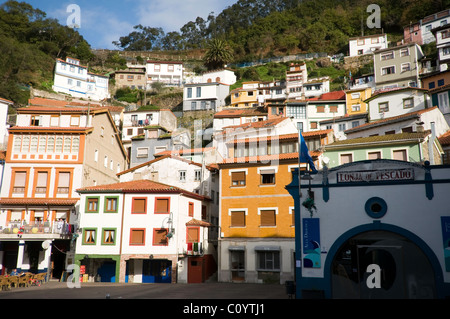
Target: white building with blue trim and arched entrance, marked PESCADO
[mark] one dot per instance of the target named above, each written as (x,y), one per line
(374,229)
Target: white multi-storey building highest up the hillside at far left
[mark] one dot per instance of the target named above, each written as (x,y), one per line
(75,79)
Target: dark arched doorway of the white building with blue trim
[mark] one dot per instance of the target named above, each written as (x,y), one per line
(381,264)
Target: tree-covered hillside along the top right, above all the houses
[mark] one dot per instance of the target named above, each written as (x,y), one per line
(263,28)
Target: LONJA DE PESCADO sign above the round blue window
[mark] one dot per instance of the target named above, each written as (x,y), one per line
(376,176)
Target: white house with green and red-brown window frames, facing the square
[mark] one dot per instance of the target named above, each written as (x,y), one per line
(143,232)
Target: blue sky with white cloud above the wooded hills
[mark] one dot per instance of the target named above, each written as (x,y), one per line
(104,21)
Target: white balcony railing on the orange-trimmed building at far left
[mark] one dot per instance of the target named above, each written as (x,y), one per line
(33,228)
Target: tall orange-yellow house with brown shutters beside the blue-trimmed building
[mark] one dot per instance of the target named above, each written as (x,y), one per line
(257,233)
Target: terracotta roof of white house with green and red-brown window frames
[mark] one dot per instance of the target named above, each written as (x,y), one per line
(138,186)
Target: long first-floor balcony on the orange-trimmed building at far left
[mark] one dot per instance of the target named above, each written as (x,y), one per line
(22,229)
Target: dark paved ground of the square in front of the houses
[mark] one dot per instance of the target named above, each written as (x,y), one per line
(214,290)
